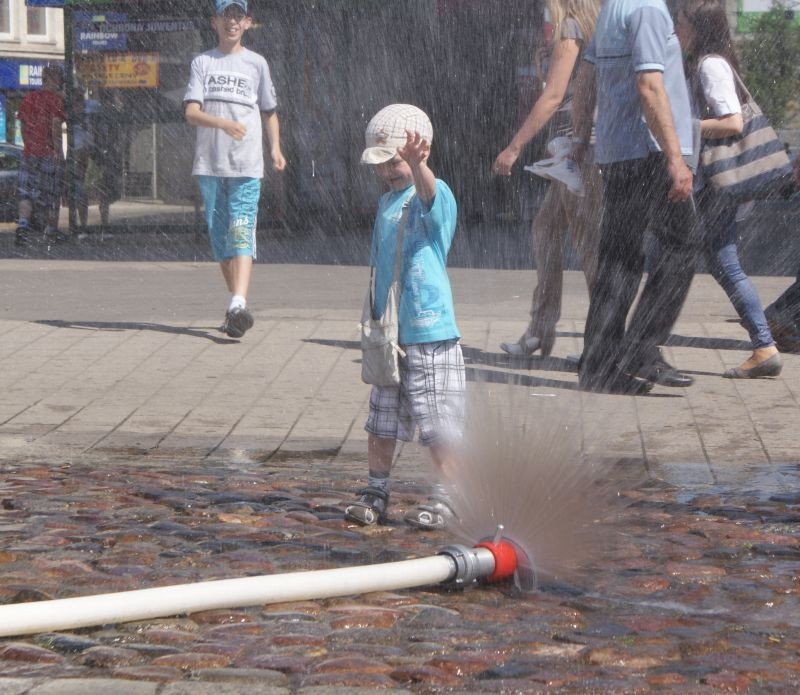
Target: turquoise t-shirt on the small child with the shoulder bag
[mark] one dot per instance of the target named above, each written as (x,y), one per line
(426,301)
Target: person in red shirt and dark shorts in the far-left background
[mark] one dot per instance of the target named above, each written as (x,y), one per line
(42,168)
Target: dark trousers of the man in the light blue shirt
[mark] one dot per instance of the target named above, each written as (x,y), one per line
(635,199)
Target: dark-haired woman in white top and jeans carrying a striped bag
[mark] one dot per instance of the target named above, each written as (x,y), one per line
(702,28)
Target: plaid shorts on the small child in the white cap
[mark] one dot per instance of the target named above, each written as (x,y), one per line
(430,396)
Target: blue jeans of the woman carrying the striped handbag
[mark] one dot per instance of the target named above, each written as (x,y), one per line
(718,244)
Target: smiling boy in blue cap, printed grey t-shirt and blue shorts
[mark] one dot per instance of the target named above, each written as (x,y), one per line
(229,88)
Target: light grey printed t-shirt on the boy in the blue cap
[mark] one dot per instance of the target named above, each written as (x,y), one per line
(236,86)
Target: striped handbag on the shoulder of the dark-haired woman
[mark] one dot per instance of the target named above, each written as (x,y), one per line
(752,165)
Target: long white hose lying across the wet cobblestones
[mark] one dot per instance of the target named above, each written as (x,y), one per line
(104,609)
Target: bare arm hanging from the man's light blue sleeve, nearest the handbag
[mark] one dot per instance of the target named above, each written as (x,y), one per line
(658,115)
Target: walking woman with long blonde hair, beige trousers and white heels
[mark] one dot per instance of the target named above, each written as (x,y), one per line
(573,26)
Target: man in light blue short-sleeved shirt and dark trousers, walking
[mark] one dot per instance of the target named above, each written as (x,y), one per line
(633,71)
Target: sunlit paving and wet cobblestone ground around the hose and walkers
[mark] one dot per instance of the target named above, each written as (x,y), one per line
(140,446)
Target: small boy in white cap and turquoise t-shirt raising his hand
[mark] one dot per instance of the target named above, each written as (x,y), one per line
(431,393)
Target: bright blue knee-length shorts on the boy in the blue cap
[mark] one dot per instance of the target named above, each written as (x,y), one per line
(231,210)
